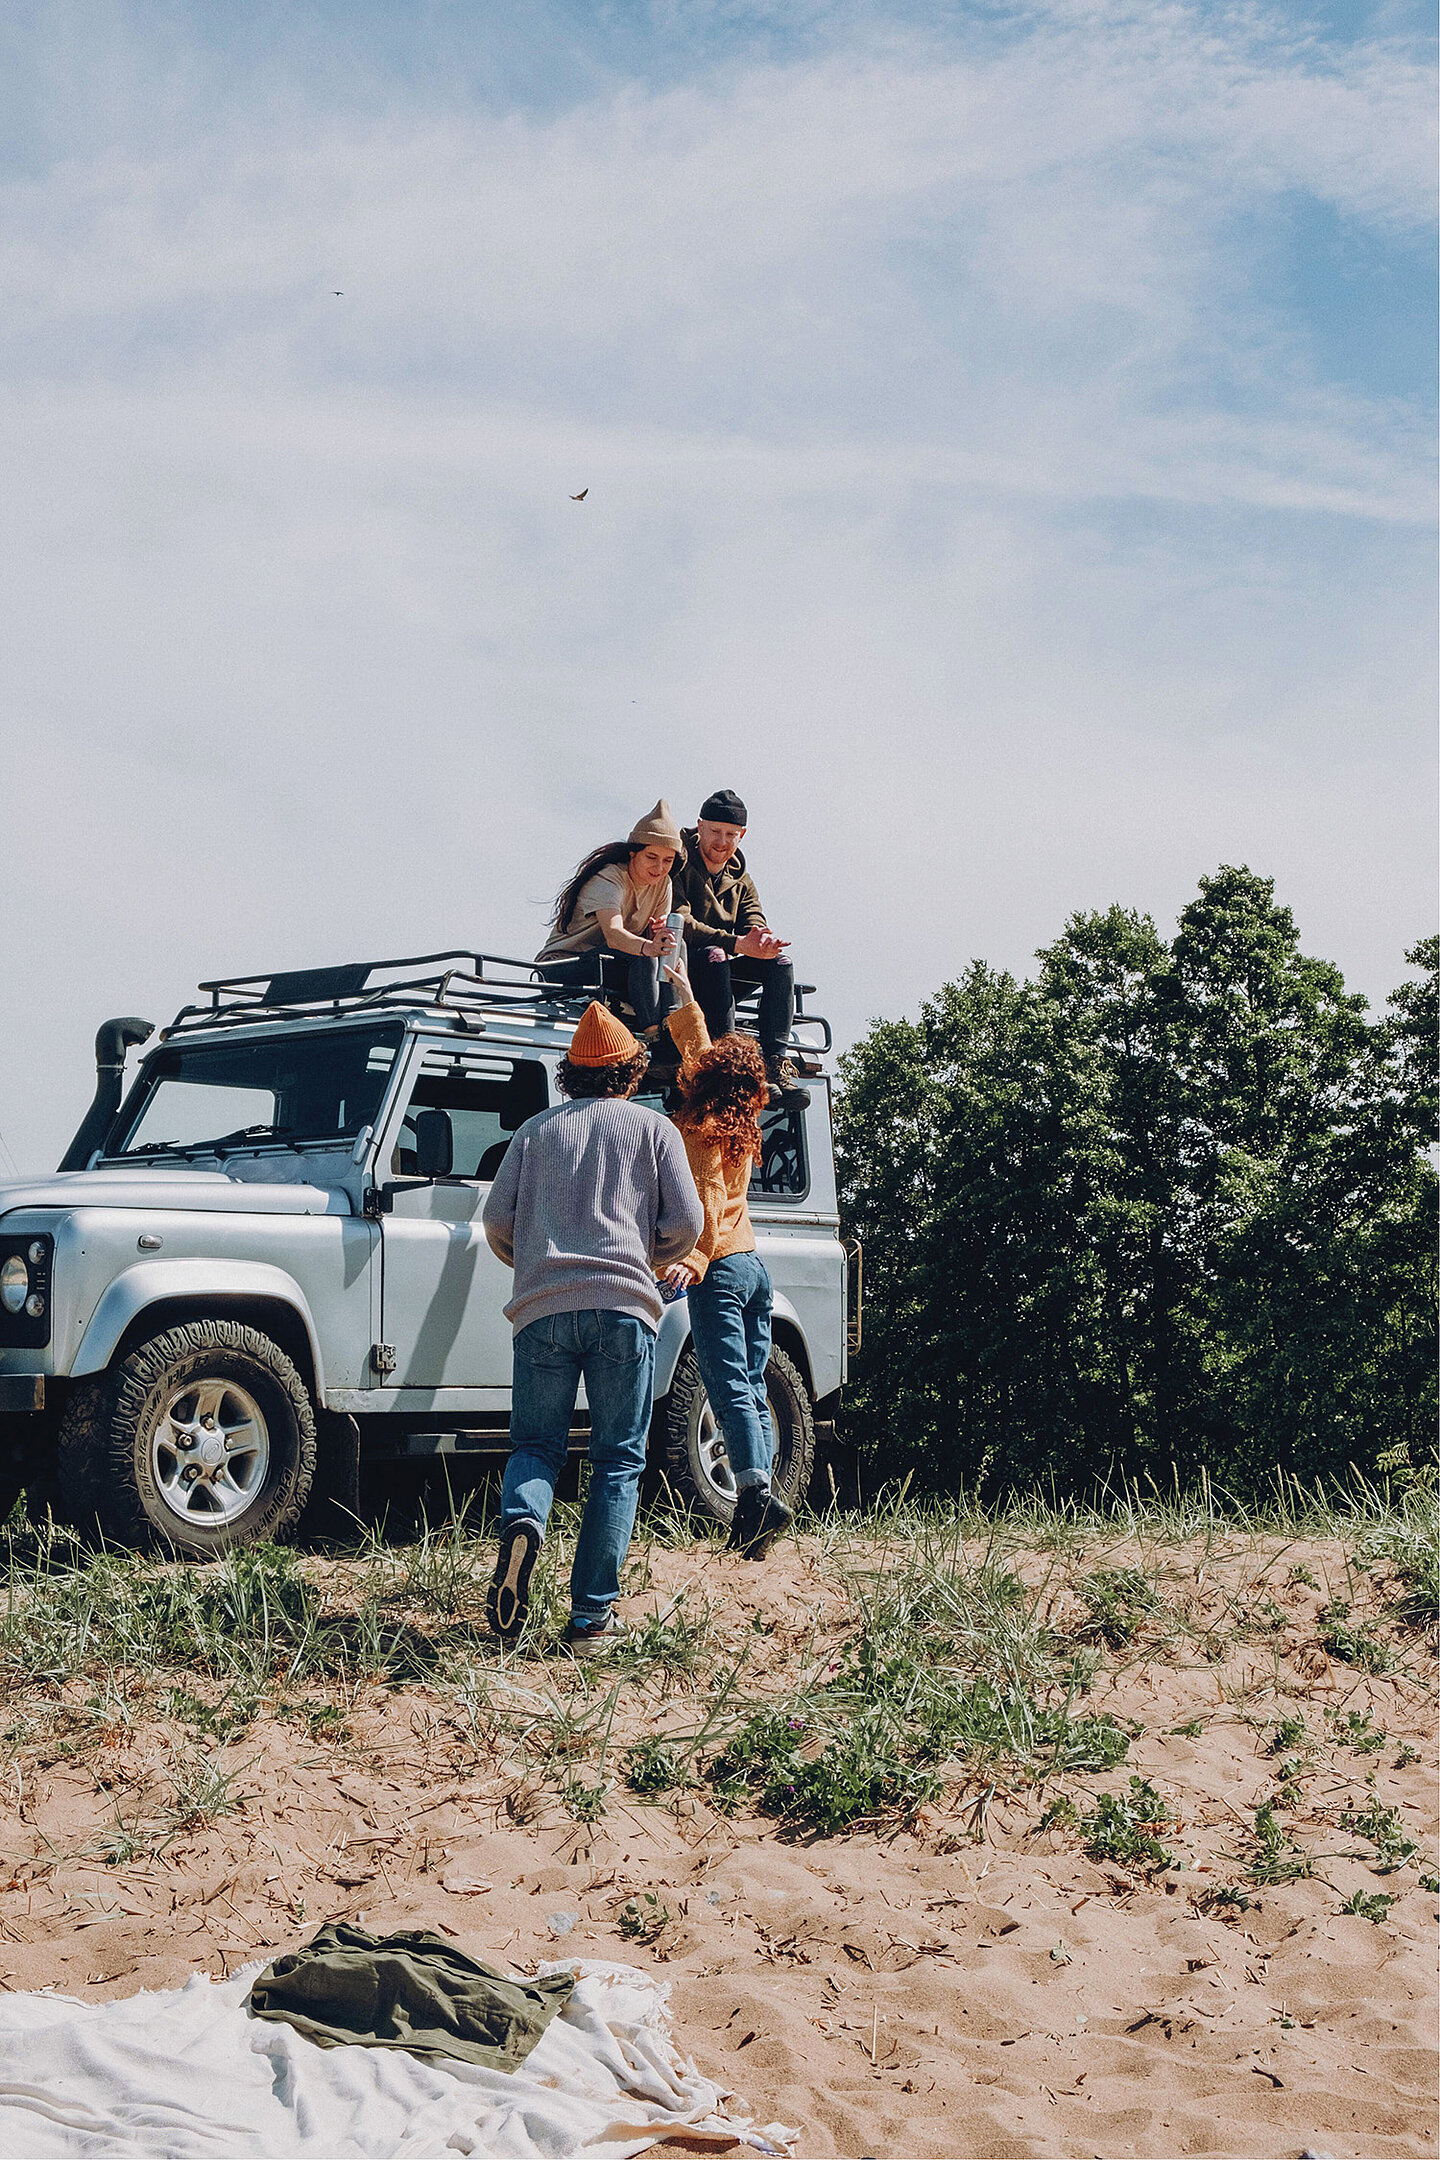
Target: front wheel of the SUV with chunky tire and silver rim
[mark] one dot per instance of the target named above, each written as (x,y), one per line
(202,1440)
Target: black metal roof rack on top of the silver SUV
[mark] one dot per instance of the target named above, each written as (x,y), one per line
(465,984)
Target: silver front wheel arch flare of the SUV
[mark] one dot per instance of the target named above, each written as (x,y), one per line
(150,1299)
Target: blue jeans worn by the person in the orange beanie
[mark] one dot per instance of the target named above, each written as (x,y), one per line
(616,1360)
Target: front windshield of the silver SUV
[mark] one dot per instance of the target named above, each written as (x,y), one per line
(288,1090)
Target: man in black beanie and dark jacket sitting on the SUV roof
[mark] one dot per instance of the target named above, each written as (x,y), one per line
(729,934)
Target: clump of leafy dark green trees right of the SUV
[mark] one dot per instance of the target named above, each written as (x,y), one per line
(1160,1206)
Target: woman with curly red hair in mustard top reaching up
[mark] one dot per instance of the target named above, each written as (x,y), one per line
(722,1094)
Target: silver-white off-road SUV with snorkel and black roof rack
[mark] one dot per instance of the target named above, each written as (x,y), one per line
(264,1263)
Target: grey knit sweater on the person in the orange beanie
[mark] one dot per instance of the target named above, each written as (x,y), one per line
(588,1202)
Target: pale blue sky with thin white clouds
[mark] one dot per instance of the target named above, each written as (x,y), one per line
(1009,444)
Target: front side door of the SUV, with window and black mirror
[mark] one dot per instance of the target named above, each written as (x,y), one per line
(444,1291)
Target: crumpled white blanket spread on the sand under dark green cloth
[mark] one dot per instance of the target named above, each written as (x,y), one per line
(189,2075)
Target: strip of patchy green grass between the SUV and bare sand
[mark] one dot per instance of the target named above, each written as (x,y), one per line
(945,1666)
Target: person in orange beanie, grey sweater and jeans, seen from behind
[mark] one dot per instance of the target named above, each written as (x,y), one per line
(590,1200)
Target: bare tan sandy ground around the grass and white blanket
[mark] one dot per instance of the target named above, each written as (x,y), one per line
(973,1986)
